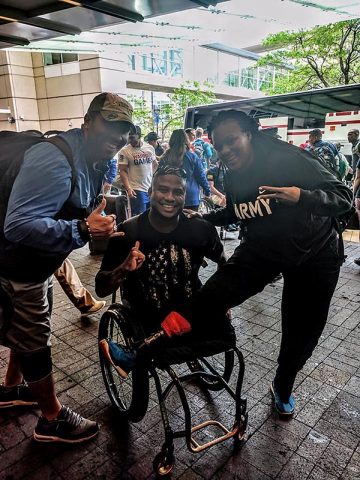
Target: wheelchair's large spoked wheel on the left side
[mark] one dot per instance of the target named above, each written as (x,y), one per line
(129,396)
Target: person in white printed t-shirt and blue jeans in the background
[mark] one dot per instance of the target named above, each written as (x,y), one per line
(137,162)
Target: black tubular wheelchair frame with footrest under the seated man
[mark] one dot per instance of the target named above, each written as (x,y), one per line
(164,461)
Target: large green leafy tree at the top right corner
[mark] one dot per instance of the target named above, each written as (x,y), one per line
(324,56)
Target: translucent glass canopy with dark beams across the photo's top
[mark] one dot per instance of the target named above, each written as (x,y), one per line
(231,27)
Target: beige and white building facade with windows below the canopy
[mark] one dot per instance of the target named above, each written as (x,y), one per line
(51,90)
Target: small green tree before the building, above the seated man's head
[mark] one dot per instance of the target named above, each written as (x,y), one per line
(189,94)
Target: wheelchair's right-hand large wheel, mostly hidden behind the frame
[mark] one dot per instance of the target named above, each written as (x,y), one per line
(223,363)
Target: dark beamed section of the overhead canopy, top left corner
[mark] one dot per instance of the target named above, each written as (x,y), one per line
(25,21)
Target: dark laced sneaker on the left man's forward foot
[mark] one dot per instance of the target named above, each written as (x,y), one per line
(68,427)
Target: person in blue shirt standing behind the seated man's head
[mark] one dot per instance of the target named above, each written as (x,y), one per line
(179,155)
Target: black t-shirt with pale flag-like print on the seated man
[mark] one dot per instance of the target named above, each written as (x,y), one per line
(169,276)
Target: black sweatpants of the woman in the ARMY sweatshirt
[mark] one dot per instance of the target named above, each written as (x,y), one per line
(307,292)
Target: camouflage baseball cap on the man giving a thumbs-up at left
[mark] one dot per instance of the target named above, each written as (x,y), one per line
(112,108)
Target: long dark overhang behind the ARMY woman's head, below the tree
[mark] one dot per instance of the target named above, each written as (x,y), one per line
(309,106)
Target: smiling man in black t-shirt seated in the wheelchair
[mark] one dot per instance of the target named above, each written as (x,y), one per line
(156,265)
